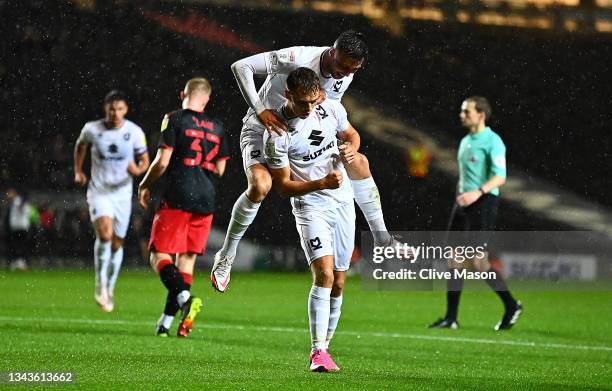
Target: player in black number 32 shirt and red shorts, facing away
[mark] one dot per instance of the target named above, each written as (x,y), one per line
(192,151)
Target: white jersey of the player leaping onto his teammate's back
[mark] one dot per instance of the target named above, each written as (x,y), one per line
(281,62)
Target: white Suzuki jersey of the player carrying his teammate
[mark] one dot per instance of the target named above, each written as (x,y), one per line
(310,147)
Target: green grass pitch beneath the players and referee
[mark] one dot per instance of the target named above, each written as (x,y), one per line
(256,337)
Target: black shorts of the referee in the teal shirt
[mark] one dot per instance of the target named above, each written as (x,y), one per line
(478,218)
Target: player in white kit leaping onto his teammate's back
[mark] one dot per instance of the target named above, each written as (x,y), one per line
(334,66)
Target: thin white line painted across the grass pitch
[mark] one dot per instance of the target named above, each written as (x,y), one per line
(300,330)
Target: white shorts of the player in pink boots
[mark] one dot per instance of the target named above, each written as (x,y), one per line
(328,232)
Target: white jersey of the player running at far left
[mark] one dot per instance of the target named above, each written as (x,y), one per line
(111,152)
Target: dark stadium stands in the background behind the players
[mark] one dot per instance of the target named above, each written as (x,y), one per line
(550,91)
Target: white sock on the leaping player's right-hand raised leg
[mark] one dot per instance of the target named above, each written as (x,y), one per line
(368,199)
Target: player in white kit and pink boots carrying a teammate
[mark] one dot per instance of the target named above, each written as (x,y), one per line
(308,164)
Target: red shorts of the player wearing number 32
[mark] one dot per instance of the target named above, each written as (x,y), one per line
(178,231)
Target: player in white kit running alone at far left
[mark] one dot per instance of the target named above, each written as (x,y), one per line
(118,153)
